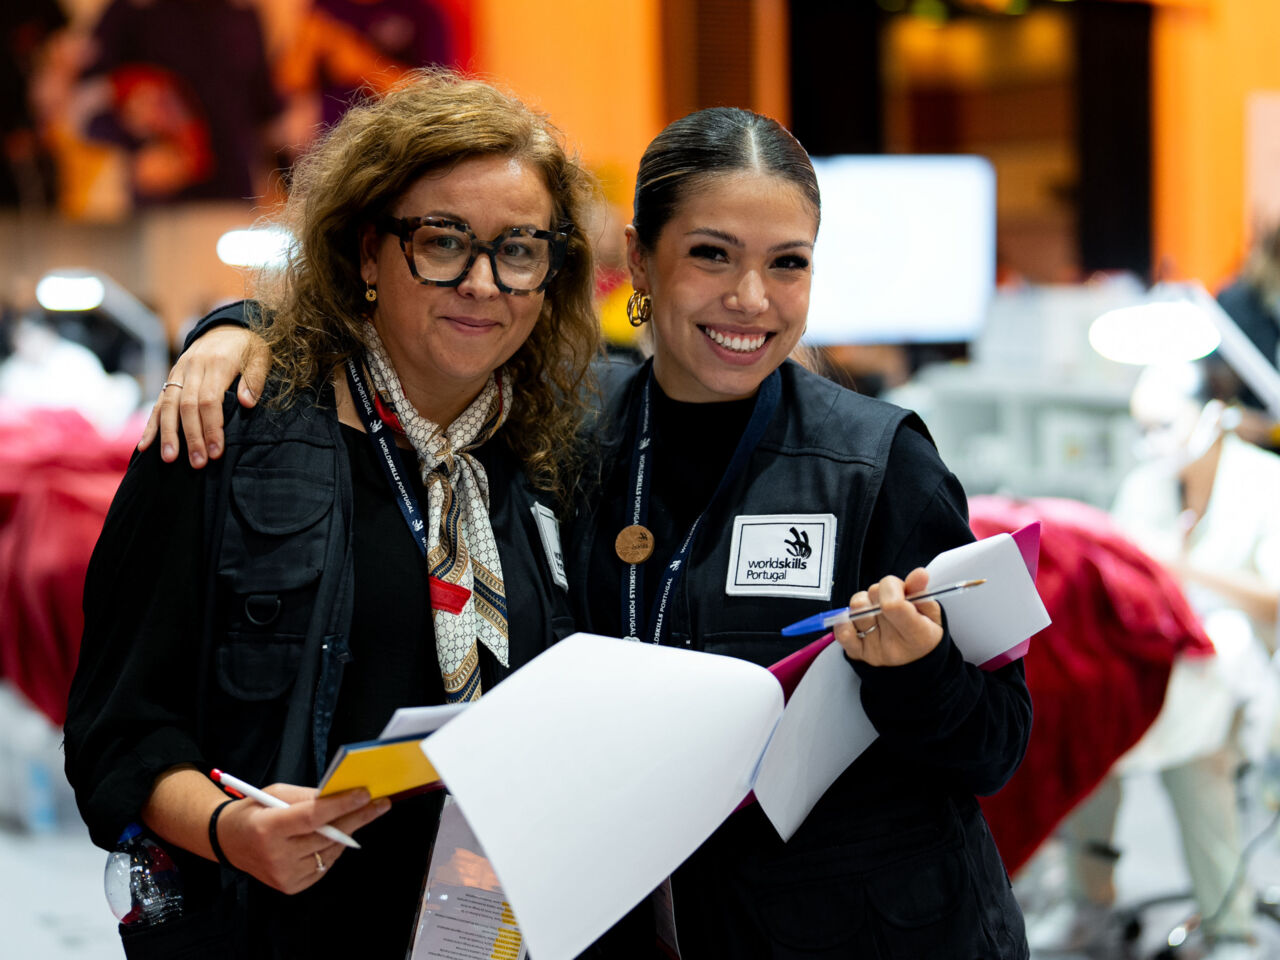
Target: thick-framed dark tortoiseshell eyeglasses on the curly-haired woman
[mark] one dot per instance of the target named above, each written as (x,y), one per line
(441,253)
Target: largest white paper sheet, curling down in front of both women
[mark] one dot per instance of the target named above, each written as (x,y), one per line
(595,771)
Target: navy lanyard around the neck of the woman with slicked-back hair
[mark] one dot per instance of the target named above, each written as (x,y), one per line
(642,463)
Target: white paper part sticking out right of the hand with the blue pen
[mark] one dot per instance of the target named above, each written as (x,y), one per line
(988,621)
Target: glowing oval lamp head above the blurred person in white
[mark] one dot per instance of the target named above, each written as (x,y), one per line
(1162,332)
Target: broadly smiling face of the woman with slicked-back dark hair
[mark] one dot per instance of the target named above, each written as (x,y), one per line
(730,285)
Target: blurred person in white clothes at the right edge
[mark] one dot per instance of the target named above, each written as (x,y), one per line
(1204,505)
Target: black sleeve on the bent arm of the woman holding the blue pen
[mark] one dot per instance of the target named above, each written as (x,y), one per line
(950,715)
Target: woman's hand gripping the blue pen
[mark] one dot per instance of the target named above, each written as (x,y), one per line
(902,632)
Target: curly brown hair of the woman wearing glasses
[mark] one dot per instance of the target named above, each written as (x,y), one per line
(363,166)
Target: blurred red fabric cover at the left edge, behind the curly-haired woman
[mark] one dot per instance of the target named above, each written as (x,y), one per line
(58,477)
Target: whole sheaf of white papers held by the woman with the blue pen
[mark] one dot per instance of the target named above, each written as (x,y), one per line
(595,771)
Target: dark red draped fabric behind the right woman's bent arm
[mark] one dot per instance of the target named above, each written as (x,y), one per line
(1098,675)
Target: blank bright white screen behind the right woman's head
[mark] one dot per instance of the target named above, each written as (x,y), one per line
(907,250)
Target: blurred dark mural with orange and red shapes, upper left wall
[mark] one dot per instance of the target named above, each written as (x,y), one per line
(141,104)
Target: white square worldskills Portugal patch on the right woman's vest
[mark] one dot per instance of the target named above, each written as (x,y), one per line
(780,555)
